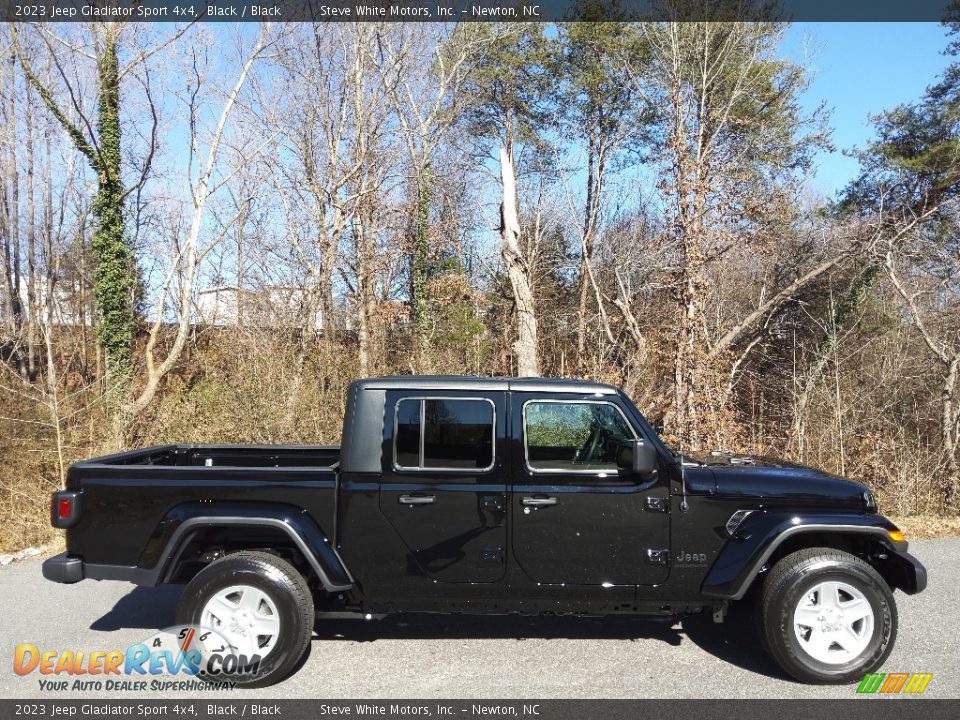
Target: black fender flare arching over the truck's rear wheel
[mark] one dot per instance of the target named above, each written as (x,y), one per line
(168,541)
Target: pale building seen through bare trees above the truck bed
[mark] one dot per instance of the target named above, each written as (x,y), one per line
(272,306)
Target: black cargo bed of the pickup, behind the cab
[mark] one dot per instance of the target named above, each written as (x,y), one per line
(130,499)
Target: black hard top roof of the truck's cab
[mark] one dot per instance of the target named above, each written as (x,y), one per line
(470,382)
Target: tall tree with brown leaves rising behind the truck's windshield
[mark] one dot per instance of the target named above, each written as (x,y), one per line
(725,102)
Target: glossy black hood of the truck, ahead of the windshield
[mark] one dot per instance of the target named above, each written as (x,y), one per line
(770,480)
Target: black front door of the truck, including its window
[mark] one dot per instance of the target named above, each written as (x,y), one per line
(580,515)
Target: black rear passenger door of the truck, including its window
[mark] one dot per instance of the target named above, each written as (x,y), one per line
(444,482)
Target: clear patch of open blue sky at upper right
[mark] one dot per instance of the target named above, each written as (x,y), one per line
(860,69)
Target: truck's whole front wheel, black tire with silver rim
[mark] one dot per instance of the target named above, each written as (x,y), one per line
(827,616)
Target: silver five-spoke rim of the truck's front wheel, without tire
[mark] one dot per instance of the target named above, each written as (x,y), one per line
(833,622)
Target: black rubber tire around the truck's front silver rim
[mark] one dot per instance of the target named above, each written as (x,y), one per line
(790,581)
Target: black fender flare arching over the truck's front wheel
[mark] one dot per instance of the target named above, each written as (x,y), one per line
(762,533)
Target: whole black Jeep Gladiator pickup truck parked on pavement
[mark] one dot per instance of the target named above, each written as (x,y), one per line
(490,495)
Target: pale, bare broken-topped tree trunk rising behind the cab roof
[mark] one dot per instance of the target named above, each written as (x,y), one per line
(525,347)
